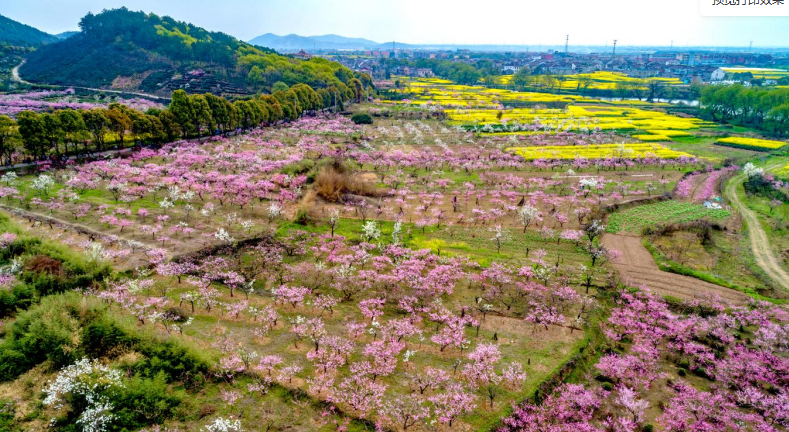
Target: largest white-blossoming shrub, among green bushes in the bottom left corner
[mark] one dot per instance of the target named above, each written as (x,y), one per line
(88,380)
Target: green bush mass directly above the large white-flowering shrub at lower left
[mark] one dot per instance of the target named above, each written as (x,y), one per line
(45,333)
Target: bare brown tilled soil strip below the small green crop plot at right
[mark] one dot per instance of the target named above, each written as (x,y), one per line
(637,267)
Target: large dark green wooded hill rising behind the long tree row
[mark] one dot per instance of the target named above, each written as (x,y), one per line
(136,51)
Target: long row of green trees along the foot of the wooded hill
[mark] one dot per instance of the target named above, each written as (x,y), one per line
(72,131)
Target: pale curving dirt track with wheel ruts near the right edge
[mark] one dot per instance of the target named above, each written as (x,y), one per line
(760,243)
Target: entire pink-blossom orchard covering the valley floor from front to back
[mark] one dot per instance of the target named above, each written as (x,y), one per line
(405,275)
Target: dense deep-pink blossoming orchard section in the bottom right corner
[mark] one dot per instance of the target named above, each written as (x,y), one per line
(655,351)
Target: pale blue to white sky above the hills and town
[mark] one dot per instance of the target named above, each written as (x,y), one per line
(511,22)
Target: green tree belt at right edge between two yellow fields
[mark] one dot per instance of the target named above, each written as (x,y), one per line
(765,109)
